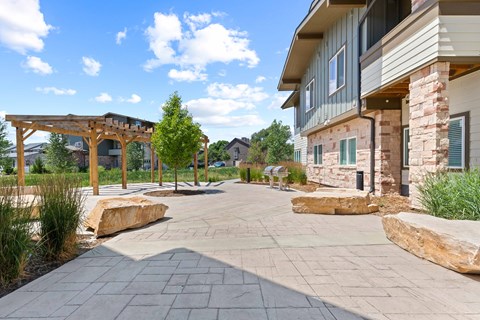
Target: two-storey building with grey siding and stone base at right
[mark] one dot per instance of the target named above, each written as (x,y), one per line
(385,90)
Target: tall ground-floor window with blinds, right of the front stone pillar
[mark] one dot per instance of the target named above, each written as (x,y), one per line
(456,149)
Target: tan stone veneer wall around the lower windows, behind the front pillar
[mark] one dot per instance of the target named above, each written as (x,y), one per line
(388,153)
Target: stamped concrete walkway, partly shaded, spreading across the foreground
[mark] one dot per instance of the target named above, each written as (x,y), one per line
(238,252)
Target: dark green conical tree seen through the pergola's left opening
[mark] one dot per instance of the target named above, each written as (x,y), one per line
(59,159)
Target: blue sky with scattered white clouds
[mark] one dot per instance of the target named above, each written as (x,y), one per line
(89,57)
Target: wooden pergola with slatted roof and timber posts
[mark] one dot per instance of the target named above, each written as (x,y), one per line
(94,130)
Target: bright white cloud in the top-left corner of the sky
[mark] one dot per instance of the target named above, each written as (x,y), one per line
(22,25)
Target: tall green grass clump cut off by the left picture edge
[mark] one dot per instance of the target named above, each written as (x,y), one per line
(15,235)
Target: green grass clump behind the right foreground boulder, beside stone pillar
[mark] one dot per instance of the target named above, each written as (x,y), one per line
(451,195)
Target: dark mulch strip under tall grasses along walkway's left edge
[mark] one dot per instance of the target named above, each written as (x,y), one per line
(38,266)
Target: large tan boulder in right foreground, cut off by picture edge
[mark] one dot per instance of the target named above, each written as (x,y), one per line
(453,244)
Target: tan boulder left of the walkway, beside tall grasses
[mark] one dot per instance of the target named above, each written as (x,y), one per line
(115,214)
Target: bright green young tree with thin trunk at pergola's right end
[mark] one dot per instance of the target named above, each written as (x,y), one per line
(176,137)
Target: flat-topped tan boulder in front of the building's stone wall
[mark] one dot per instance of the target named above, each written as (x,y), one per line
(334,201)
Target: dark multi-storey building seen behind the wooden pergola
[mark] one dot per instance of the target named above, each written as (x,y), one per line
(109,151)
